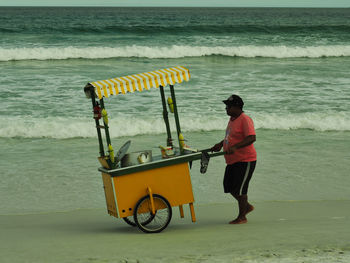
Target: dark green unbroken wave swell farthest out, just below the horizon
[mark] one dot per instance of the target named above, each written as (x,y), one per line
(181,29)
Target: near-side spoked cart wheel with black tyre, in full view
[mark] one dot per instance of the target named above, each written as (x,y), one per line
(160,219)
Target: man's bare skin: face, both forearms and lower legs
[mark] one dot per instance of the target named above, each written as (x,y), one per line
(244,206)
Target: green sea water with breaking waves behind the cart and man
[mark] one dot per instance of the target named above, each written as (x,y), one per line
(290,66)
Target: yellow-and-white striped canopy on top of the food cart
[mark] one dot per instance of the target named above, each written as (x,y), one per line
(139,82)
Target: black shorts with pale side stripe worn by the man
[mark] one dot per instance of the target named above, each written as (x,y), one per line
(237,177)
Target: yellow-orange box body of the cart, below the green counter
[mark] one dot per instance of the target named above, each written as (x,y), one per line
(123,192)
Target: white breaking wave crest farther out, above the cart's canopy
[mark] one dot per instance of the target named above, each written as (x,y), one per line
(59,53)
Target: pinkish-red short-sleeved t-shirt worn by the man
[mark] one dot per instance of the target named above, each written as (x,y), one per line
(237,129)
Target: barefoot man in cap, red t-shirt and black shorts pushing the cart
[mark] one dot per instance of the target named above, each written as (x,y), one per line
(240,155)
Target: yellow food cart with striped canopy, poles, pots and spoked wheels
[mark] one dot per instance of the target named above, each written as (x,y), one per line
(144,190)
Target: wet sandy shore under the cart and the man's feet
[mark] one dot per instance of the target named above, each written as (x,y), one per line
(292,231)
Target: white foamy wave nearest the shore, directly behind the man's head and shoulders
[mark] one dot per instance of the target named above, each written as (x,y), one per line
(64,128)
